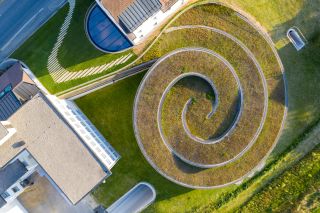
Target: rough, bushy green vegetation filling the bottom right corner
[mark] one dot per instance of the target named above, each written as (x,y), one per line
(296,190)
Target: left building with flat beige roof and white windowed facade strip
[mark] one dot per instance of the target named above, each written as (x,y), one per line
(62,141)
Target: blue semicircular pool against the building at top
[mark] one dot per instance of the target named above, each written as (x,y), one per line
(103,33)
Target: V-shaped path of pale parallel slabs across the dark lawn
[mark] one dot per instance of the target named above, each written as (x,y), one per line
(59,73)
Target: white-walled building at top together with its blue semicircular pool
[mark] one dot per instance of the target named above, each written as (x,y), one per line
(114,26)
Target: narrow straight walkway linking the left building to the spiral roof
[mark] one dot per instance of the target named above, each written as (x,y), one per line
(82,91)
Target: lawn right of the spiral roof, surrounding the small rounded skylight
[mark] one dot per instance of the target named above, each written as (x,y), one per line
(302,69)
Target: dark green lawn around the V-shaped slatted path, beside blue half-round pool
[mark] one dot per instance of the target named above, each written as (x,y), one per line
(76,52)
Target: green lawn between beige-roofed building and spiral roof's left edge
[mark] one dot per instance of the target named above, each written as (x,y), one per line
(110,110)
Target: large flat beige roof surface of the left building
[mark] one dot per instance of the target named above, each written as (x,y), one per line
(55,146)
